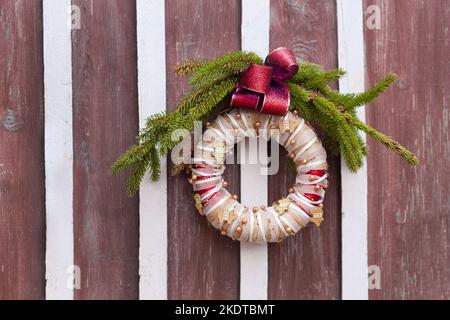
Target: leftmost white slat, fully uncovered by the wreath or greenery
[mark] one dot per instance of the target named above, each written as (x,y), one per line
(58,148)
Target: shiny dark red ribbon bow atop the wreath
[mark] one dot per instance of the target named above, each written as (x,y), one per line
(261,87)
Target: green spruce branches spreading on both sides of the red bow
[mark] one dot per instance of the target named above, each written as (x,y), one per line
(212,81)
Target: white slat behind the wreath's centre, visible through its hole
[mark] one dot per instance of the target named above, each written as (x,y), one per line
(254,189)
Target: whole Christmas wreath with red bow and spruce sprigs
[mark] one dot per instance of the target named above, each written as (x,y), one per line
(272,99)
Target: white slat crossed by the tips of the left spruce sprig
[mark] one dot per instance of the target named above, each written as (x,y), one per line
(153,196)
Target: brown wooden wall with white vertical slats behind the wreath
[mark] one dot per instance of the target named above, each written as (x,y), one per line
(79,77)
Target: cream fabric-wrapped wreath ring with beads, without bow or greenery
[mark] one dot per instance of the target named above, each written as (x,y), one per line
(287,216)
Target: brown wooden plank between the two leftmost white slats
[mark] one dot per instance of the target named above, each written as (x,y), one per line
(105,119)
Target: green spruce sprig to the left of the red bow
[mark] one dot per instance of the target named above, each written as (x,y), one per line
(210,83)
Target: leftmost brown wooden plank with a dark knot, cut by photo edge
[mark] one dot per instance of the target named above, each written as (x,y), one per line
(22,187)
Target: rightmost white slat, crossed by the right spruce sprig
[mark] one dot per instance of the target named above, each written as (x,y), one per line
(354,186)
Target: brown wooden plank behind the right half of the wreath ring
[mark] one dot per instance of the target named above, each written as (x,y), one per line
(307,266)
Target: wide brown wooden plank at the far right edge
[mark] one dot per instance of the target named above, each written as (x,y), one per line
(409,208)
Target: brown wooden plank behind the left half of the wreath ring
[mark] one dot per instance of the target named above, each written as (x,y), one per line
(202,264)
